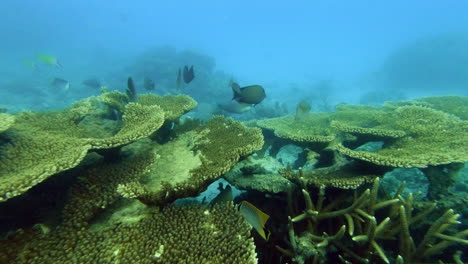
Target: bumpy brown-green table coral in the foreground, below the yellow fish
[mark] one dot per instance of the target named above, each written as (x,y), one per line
(190,234)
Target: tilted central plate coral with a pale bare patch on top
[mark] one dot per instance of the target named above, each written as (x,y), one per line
(188,164)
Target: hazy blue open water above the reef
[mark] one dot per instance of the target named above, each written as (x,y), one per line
(362,48)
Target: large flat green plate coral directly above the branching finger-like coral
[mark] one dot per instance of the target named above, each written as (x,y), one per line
(432,138)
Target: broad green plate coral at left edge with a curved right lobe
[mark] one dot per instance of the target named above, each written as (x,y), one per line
(43,144)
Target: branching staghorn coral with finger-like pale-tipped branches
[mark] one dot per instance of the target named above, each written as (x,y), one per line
(361,235)
